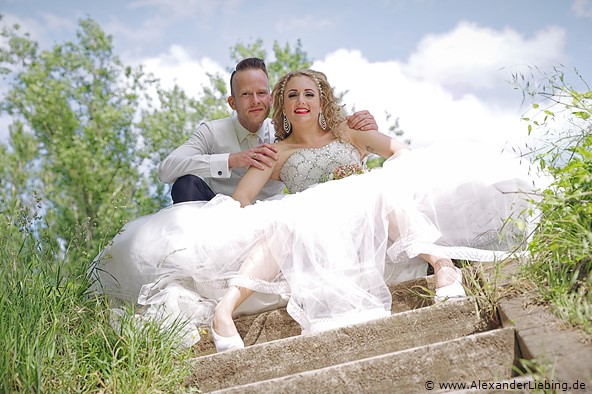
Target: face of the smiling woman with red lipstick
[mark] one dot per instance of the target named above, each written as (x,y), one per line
(302,102)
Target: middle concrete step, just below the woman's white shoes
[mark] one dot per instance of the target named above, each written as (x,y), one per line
(298,354)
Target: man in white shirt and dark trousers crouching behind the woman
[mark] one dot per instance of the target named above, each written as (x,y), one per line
(219,152)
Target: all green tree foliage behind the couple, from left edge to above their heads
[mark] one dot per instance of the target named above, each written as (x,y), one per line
(88,132)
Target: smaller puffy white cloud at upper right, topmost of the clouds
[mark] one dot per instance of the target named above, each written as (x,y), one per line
(474,56)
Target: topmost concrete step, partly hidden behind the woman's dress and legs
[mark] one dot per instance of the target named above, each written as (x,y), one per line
(277,324)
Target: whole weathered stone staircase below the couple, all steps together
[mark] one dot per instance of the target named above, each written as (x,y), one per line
(416,349)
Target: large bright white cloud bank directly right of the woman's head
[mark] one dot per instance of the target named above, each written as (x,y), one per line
(428,113)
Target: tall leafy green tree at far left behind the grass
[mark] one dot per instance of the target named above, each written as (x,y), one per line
(73,108)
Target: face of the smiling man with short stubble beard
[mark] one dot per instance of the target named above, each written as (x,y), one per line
(251,98)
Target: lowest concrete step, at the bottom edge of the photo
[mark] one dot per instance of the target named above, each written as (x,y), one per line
(485,356)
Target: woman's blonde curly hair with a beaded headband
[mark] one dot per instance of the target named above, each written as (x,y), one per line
(331,110)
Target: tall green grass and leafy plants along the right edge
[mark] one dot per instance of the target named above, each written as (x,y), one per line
(561,263)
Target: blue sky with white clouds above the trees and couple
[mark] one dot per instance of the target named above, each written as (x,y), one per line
(441,66)
